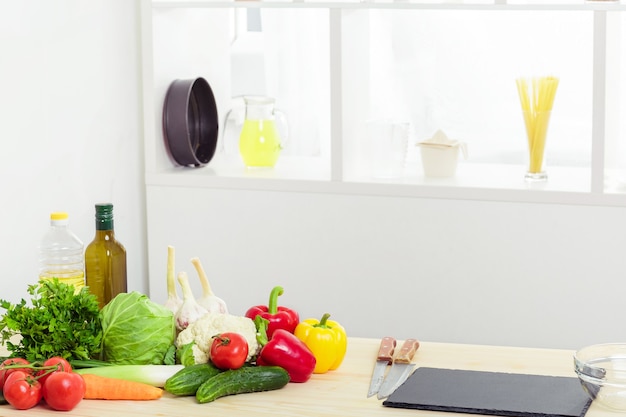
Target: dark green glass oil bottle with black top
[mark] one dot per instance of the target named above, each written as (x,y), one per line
(105,259)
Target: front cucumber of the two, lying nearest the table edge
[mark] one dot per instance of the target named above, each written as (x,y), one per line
(242,380)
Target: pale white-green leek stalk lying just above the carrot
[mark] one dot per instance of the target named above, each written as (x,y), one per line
(154,375)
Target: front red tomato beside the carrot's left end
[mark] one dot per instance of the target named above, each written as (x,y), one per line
(64,390)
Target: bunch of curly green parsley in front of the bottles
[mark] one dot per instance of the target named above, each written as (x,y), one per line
(60,322)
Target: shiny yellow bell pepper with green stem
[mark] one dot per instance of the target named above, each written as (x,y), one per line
(326,339)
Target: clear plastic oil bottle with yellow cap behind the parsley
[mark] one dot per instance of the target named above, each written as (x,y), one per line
(61,253)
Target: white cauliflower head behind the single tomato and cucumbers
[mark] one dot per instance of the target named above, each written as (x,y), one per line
(202,331)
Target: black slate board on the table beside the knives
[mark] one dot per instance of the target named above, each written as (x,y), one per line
(491,393)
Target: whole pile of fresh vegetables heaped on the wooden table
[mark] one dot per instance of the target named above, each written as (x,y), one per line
(64,349)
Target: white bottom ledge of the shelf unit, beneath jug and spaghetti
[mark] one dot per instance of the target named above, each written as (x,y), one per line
(491,182)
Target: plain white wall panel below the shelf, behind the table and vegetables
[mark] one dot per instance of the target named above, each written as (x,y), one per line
(439,270)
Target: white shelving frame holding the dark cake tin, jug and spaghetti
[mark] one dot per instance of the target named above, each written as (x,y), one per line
(336,171)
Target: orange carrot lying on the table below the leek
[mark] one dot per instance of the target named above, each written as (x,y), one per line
(105,388)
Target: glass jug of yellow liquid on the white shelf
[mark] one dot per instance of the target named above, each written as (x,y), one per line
(259,141)
